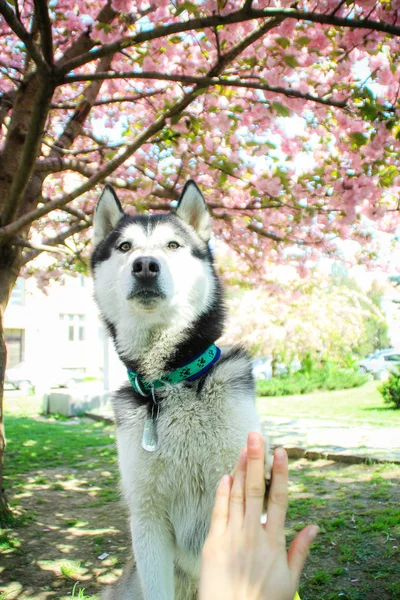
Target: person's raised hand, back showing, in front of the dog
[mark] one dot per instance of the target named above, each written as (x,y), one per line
(243,559)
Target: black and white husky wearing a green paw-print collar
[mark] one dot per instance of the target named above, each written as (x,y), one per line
(184,417)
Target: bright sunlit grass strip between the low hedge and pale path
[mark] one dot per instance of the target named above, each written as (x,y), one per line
(358,405)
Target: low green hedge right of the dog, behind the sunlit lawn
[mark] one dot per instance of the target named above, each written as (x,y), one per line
(326,377)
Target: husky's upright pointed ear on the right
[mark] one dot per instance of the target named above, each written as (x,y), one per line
(193,210)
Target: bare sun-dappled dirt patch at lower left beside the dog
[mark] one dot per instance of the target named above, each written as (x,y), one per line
(74,535)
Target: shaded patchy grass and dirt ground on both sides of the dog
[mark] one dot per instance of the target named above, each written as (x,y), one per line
(71,533)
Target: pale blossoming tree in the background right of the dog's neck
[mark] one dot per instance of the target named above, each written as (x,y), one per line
(310,318)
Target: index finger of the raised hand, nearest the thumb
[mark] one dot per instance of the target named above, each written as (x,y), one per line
(278,495)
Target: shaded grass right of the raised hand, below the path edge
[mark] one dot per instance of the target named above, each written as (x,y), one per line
(356,552)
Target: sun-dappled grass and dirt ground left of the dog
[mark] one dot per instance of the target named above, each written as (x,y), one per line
(62,479)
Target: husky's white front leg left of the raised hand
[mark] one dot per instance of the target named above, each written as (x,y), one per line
(154,554)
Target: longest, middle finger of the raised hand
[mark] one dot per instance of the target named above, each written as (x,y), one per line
(255,479)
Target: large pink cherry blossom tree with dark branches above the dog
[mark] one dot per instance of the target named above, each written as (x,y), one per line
(286,113)
